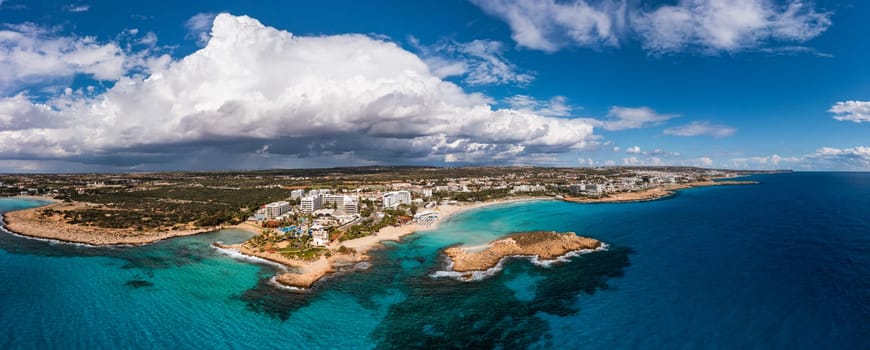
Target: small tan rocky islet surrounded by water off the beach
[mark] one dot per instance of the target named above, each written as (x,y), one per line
(545,245)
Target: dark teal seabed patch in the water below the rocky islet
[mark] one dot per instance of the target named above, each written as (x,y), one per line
(444,313)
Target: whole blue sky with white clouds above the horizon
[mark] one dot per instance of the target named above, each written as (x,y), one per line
(94,86)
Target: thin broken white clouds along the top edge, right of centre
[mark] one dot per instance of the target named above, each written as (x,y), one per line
(707,26)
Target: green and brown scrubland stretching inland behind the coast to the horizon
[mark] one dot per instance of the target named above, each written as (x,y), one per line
(161,201)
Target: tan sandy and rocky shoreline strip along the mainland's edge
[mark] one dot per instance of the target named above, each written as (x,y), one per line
(301,274)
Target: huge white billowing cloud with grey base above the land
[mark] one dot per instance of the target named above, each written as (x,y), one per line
(253,86)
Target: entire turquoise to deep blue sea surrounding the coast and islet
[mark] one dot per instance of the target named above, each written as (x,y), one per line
(782,264)
